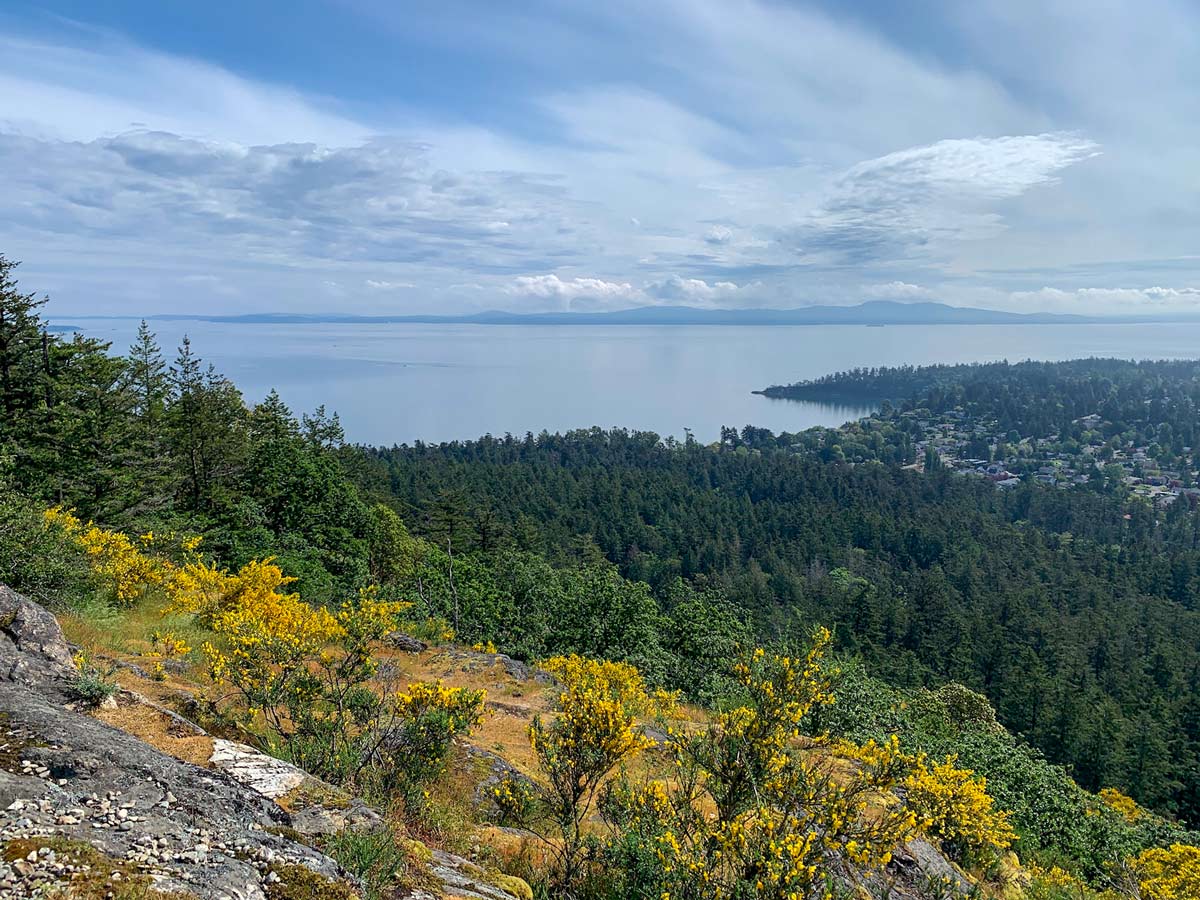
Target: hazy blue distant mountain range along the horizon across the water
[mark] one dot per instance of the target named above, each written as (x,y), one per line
(877,313)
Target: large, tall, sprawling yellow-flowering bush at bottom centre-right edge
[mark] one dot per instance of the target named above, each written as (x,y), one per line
(754,812)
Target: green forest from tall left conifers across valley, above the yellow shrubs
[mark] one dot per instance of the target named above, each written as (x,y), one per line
(1070,617)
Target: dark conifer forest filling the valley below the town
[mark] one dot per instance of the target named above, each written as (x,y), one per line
(1088,645)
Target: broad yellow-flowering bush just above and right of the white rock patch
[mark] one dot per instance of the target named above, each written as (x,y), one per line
(309,674)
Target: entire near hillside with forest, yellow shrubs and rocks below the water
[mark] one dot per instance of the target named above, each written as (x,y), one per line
(303,643)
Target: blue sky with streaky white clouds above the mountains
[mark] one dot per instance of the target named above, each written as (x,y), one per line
(389,158)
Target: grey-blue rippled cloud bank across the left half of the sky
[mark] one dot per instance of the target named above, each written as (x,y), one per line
(380,201)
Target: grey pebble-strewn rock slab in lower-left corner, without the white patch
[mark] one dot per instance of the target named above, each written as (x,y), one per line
(65,775)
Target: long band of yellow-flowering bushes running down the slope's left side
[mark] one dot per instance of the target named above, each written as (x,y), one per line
(301,677)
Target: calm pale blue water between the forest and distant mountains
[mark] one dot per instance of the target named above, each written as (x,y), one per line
(401,383)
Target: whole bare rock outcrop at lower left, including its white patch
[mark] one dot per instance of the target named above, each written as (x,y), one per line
(83,800)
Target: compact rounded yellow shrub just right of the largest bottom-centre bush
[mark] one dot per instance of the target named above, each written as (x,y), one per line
(953,805)
